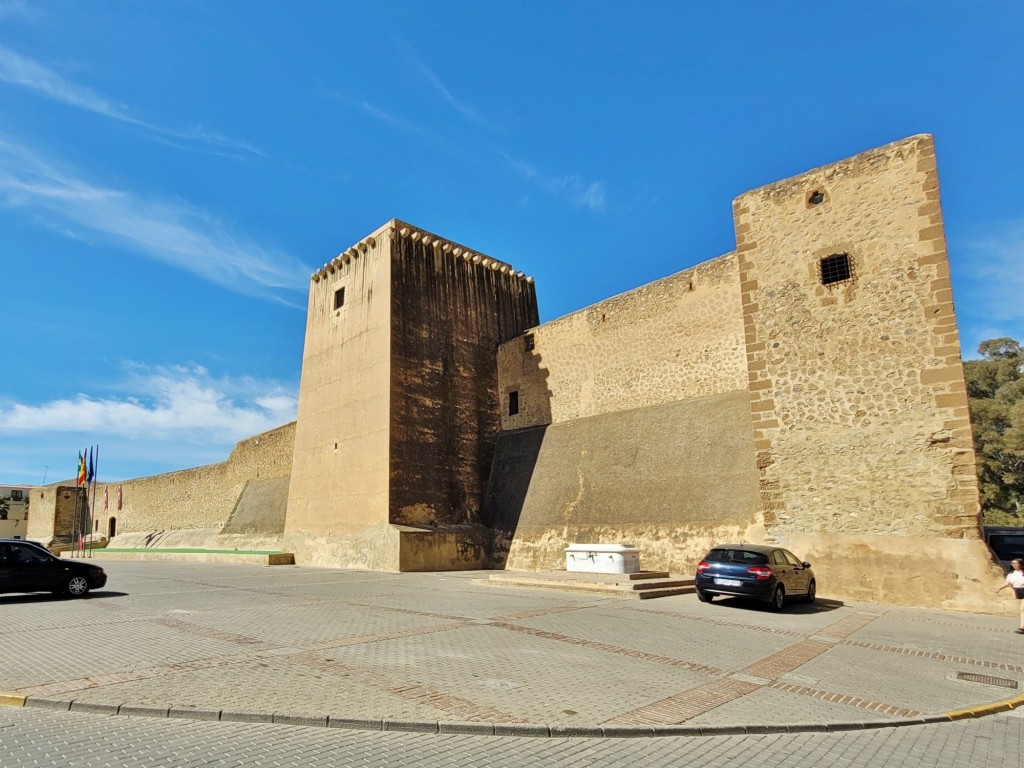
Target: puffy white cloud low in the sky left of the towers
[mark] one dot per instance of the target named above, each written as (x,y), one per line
(184,404)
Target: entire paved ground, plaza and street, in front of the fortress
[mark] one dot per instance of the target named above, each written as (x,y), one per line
(224,653)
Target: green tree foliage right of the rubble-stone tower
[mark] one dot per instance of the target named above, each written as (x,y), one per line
(996,392)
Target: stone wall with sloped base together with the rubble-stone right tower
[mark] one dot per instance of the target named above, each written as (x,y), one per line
(805,390)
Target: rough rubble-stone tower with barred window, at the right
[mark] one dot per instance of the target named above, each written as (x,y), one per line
(859,400)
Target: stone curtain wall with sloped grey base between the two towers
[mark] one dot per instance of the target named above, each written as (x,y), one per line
(633,426)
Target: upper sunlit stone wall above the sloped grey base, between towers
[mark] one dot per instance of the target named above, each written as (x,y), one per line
(677,338)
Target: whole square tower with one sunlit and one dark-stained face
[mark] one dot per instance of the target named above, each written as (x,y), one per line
(399,403)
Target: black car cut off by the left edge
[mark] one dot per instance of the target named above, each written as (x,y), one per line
(26,567)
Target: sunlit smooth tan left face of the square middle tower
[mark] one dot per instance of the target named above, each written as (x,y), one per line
(339,485)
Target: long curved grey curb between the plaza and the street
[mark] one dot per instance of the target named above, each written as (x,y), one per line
(496,730)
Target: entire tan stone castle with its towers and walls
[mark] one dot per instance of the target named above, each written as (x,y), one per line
(805,389)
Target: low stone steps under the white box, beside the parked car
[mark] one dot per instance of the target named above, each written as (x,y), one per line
(643,586)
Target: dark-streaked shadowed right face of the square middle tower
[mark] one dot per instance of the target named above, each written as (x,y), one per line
(449,316)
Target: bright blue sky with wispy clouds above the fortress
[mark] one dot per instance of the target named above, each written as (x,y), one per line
(173,173)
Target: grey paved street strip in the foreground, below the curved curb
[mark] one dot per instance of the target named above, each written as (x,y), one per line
(30,738)
